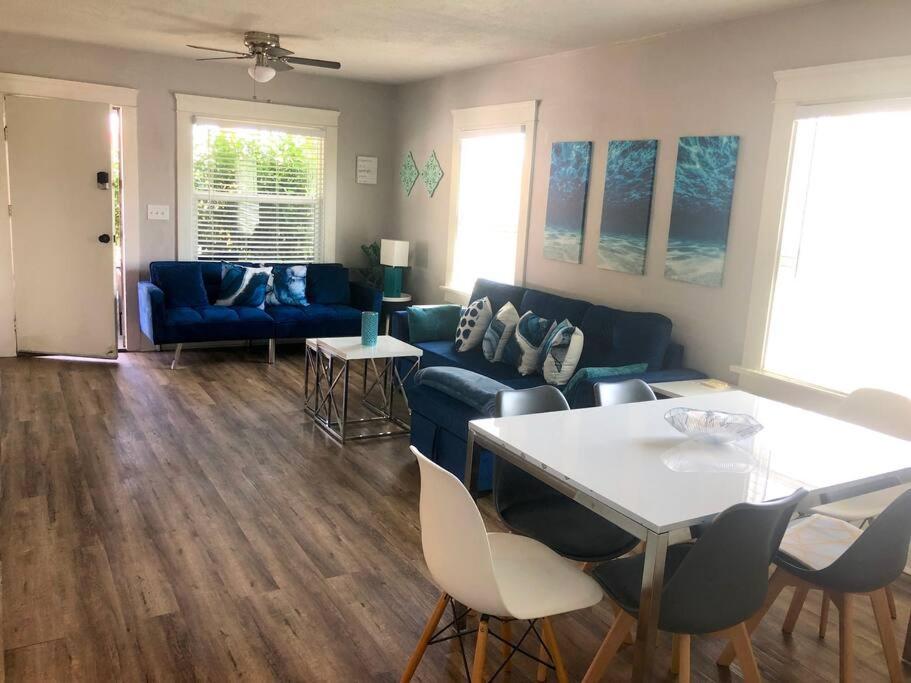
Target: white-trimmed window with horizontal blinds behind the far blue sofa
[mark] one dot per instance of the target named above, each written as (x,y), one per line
(256,181)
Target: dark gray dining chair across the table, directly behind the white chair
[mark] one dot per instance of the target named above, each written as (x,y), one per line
(530,507)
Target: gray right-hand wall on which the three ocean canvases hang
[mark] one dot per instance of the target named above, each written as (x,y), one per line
(716,80)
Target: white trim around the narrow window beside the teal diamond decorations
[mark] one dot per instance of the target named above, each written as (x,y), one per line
(516,114)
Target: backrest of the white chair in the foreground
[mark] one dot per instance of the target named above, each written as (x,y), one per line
(455,542)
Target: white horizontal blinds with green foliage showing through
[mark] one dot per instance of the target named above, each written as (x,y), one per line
(257,192)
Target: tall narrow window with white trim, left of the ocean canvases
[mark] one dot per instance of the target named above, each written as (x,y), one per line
(492,149)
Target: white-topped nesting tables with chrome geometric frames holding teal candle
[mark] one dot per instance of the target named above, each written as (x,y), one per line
(330,359)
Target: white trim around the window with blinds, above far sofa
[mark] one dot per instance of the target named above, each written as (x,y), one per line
(191,106)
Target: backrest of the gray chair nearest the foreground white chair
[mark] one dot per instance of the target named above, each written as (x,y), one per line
(724,578)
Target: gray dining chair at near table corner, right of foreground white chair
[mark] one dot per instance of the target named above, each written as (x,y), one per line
(711,586)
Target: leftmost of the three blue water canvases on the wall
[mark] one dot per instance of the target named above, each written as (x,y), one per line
(570,163)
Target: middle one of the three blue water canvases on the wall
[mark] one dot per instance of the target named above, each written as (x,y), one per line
(627,206)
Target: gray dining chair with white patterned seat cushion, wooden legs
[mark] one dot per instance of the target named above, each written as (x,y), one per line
(824,553)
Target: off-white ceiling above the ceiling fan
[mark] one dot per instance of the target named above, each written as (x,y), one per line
(381,40)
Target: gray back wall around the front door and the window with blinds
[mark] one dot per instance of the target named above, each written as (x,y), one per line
(365,127)
